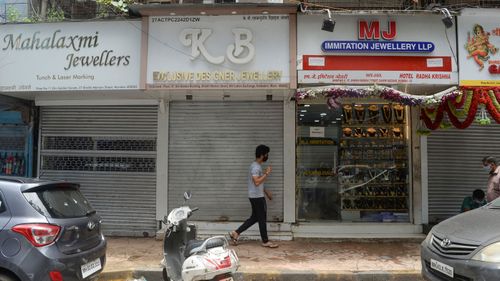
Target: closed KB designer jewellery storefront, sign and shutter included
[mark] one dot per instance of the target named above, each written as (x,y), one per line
(224,77)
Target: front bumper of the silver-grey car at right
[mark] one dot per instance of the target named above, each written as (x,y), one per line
(463,270)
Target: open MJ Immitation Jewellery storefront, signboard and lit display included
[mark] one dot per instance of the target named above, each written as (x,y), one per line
(358,151)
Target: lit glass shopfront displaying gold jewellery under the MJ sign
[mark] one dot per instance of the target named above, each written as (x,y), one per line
(352,162)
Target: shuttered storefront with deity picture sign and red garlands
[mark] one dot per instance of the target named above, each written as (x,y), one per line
(465,130)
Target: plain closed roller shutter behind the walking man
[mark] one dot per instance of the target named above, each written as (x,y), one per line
(211,147)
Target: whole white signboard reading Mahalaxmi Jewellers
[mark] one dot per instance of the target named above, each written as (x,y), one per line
(70,56)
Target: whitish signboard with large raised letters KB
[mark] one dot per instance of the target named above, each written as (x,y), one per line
(219,52)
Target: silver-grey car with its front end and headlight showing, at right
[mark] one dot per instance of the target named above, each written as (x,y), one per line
(465,247)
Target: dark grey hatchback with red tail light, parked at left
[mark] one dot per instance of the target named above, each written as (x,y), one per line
(48,232)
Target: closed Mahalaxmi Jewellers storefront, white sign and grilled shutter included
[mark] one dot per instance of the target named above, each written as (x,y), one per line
(95,126)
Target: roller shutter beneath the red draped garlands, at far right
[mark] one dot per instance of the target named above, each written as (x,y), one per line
(455,168)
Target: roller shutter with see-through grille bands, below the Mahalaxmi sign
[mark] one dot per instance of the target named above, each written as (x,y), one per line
(111,152)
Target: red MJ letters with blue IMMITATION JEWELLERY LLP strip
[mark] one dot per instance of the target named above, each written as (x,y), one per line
(372,32)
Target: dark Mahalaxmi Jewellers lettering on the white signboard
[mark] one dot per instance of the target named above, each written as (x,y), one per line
(74,43)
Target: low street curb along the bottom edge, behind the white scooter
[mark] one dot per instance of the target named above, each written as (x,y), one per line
(156,275)
